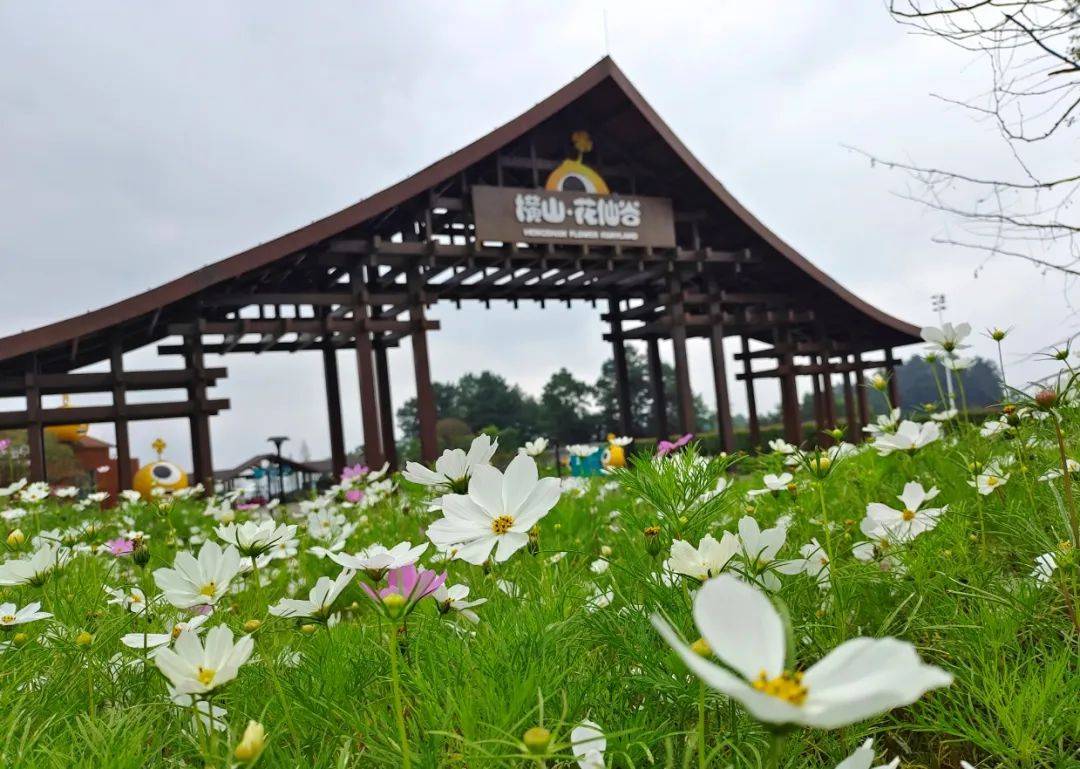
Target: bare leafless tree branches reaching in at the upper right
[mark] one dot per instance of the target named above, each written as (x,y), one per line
(1031,48)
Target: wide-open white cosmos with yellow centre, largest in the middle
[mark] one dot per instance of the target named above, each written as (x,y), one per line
(498,510)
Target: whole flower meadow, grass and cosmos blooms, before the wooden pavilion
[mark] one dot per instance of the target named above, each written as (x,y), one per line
(566,630)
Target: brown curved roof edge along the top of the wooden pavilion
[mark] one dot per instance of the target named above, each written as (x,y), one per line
(179,290)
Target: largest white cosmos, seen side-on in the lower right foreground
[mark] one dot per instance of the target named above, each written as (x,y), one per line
(861,679)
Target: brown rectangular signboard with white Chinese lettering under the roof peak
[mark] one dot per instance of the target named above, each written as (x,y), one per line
(519,215)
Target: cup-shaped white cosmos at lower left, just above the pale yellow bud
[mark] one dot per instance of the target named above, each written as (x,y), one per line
(194,669)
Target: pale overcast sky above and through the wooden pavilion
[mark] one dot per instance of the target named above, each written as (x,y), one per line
(142,141)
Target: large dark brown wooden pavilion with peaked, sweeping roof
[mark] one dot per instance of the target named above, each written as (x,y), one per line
(587,197)
